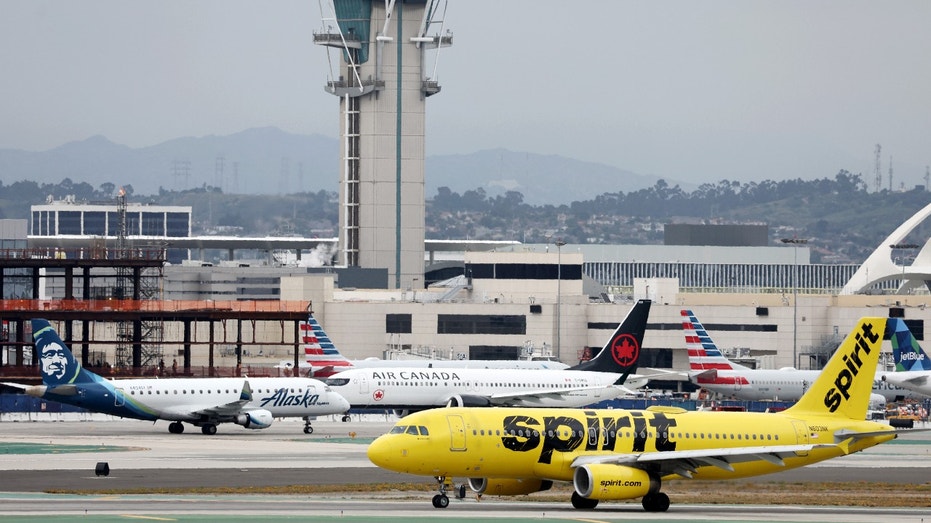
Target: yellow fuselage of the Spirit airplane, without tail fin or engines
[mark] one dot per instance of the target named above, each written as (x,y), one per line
(546,443)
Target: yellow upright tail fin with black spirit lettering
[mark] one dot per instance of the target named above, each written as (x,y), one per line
(845,384)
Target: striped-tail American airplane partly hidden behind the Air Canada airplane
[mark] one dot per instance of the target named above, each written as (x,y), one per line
(322,358)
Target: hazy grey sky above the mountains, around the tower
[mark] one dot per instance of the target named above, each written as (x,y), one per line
(688,90)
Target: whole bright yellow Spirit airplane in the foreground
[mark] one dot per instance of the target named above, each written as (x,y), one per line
(626,454)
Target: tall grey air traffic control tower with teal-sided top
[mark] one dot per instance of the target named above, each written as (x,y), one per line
(387,55)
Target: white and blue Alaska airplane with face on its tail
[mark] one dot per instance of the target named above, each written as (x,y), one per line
(253,403)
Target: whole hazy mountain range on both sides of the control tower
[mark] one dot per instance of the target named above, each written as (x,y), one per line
(271,161)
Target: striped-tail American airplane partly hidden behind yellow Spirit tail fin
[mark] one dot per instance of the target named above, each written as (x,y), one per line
(711,370)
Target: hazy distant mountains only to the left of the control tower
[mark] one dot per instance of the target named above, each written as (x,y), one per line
(255,161)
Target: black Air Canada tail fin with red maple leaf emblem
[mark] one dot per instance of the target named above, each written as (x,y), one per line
(622,352)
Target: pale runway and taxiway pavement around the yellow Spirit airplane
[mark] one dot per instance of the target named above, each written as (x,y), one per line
(41,457)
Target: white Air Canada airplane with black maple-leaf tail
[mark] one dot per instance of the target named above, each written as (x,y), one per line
(406,389)
